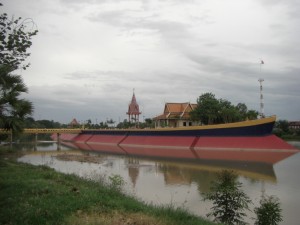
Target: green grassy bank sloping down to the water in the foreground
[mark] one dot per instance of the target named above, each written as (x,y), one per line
(39,195)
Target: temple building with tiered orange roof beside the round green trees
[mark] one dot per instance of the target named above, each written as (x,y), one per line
(176,115)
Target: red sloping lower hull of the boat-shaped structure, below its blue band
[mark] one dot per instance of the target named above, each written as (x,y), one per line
(267,149)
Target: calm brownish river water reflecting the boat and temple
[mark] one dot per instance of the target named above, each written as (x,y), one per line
(174,182)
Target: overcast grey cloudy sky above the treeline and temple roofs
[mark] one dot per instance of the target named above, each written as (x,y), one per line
(89,55)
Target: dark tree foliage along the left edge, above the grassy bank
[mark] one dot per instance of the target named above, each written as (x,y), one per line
(15,40)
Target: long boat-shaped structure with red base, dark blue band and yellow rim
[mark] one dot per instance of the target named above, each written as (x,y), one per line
(241,141)
